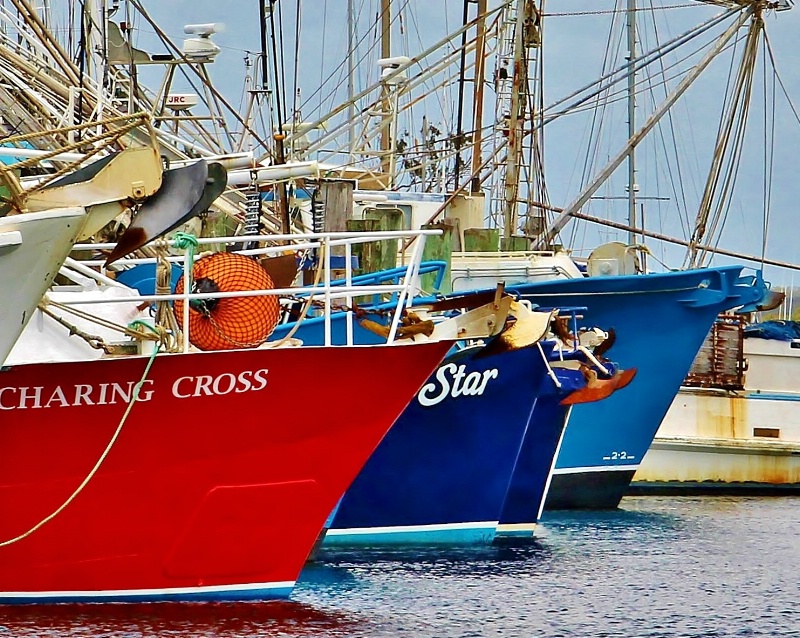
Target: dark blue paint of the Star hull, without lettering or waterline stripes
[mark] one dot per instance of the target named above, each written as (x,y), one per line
(452,462)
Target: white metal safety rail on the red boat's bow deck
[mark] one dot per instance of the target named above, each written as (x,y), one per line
(346,289)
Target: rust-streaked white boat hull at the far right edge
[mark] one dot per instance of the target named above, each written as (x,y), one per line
(713,440)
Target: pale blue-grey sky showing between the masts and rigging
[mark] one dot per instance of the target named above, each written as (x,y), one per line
(576,38)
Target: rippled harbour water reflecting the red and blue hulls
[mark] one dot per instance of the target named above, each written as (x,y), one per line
(657,567)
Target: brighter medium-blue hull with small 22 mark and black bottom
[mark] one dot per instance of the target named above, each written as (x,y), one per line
(660,322)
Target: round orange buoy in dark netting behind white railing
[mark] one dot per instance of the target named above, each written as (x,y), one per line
(233,322)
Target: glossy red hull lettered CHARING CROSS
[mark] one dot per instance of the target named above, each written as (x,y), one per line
(220,480)
